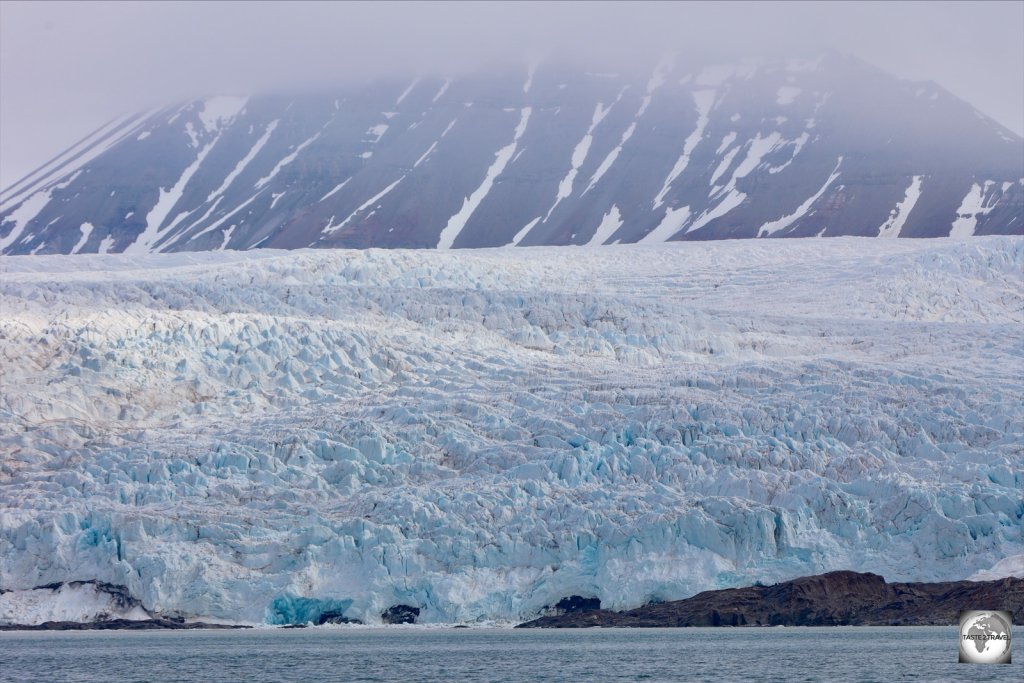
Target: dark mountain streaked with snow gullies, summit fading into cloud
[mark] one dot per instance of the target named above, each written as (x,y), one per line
(546,156)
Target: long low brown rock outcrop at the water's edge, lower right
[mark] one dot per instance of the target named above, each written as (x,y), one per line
(838,599)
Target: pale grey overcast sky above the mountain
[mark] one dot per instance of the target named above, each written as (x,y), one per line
(66,68)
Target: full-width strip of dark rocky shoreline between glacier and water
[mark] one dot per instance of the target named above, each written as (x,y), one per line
(833,600)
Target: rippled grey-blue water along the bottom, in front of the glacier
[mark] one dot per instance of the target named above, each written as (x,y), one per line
(863,654)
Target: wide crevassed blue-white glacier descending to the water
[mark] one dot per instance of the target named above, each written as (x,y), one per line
(268,437)
